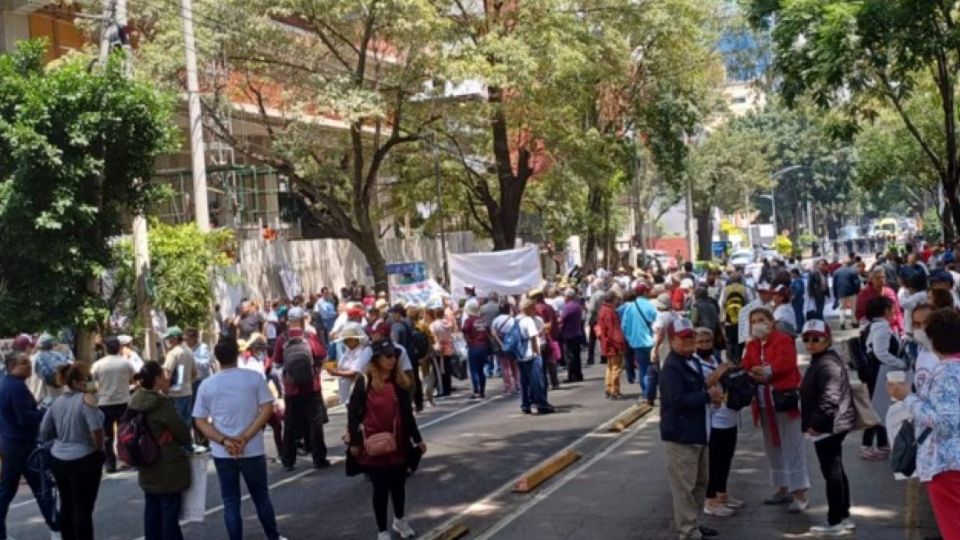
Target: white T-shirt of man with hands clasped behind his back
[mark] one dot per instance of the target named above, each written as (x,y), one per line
(231,400)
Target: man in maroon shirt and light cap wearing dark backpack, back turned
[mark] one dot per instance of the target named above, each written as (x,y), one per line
(305,412)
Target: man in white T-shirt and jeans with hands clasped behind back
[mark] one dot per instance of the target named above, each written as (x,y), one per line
(231,409)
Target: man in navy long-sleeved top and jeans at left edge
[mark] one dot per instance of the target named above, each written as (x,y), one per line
(19,422)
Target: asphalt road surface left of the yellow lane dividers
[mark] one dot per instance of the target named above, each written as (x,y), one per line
(474,448)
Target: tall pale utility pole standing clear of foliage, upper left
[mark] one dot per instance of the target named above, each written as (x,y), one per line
(198,162)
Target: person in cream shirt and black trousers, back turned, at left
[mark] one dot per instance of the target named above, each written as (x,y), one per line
(113,375)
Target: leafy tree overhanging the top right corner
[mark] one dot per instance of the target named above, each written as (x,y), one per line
(856,56)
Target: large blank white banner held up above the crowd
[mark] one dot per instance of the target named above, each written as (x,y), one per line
(514,271)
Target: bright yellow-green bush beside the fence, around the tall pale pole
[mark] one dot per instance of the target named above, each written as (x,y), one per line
(183,264)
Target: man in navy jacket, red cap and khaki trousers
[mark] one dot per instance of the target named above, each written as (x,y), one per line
(685,401)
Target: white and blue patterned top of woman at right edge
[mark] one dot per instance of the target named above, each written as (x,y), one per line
(939,409)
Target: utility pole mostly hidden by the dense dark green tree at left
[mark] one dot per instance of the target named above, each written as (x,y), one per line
(115,33)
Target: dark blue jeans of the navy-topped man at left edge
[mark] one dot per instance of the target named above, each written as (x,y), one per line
(14,467)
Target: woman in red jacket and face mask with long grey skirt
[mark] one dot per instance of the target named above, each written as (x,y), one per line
(771,359)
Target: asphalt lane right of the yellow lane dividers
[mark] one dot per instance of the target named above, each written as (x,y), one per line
(625,495)
